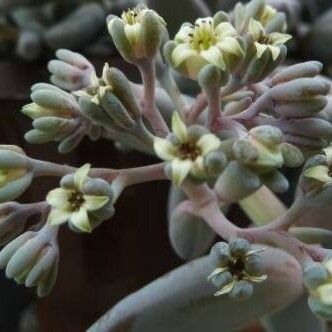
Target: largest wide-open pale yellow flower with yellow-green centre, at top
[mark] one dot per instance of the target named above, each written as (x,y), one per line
(208,41)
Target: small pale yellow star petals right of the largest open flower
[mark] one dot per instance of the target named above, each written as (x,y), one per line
(267,41)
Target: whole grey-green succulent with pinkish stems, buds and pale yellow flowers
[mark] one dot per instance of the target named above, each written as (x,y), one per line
(231,143)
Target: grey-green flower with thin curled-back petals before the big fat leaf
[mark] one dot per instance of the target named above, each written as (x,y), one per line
(238,266)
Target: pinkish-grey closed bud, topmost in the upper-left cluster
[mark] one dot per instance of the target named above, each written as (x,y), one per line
(72,71)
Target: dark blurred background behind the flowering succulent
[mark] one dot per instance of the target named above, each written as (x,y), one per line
(98,270)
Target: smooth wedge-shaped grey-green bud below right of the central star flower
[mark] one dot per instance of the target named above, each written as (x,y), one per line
(236,183)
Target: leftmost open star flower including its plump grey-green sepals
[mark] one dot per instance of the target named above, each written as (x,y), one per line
(82,201)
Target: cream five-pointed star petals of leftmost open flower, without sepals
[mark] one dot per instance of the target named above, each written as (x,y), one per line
(73,205)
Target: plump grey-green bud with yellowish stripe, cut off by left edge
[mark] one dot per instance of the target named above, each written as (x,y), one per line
(15,172)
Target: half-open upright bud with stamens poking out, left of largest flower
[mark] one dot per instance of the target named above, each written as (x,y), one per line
(138,34)
